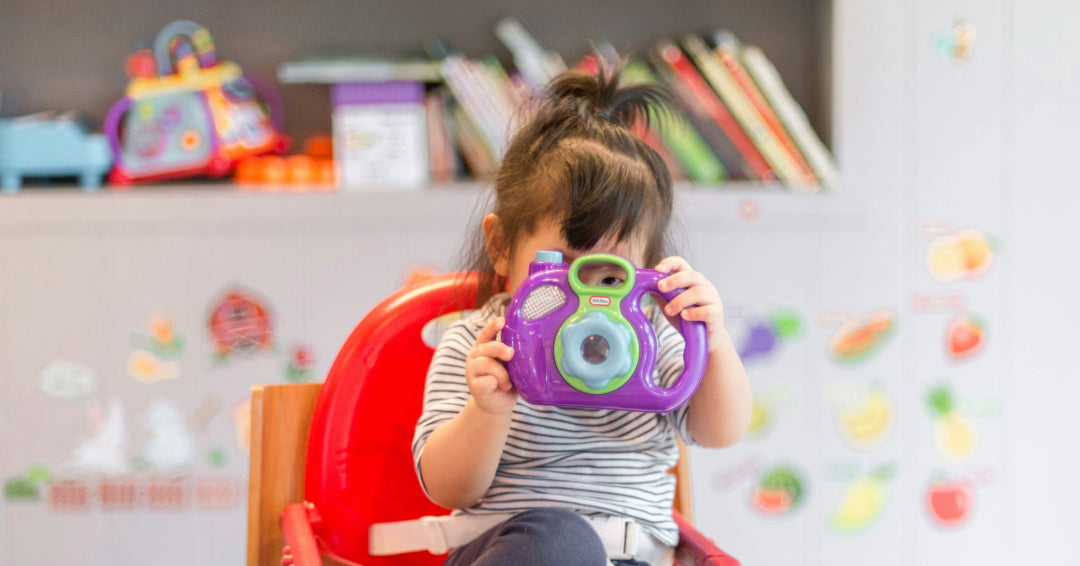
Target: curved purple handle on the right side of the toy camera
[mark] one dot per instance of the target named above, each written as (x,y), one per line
(697,344)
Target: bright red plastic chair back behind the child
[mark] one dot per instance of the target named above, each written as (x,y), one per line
(360,463)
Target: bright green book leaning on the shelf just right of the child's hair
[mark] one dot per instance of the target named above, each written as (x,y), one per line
(700,164)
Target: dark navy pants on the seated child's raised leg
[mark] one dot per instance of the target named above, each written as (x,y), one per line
(539,537)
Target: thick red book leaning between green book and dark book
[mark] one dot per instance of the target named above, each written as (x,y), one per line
(706,111)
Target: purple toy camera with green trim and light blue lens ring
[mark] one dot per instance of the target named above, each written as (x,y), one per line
(591,346)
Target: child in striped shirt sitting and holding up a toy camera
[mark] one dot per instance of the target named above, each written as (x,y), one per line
(548,486)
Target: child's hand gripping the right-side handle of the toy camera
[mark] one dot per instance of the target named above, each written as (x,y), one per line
(700,302)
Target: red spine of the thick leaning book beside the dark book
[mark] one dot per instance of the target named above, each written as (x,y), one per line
(705,98)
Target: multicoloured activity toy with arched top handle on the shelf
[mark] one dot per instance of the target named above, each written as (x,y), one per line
(185,114)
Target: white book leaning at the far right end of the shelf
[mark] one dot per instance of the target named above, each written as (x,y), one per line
(792,116)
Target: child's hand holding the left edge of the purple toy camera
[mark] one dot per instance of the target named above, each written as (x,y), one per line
(488,379)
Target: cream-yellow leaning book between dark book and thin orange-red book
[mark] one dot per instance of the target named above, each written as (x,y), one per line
(734,98)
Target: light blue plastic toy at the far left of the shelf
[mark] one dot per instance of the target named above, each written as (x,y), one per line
(49,145)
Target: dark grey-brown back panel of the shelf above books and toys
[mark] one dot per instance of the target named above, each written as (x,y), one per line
(89,51)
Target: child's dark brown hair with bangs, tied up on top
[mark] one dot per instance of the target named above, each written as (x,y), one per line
(577,159)
